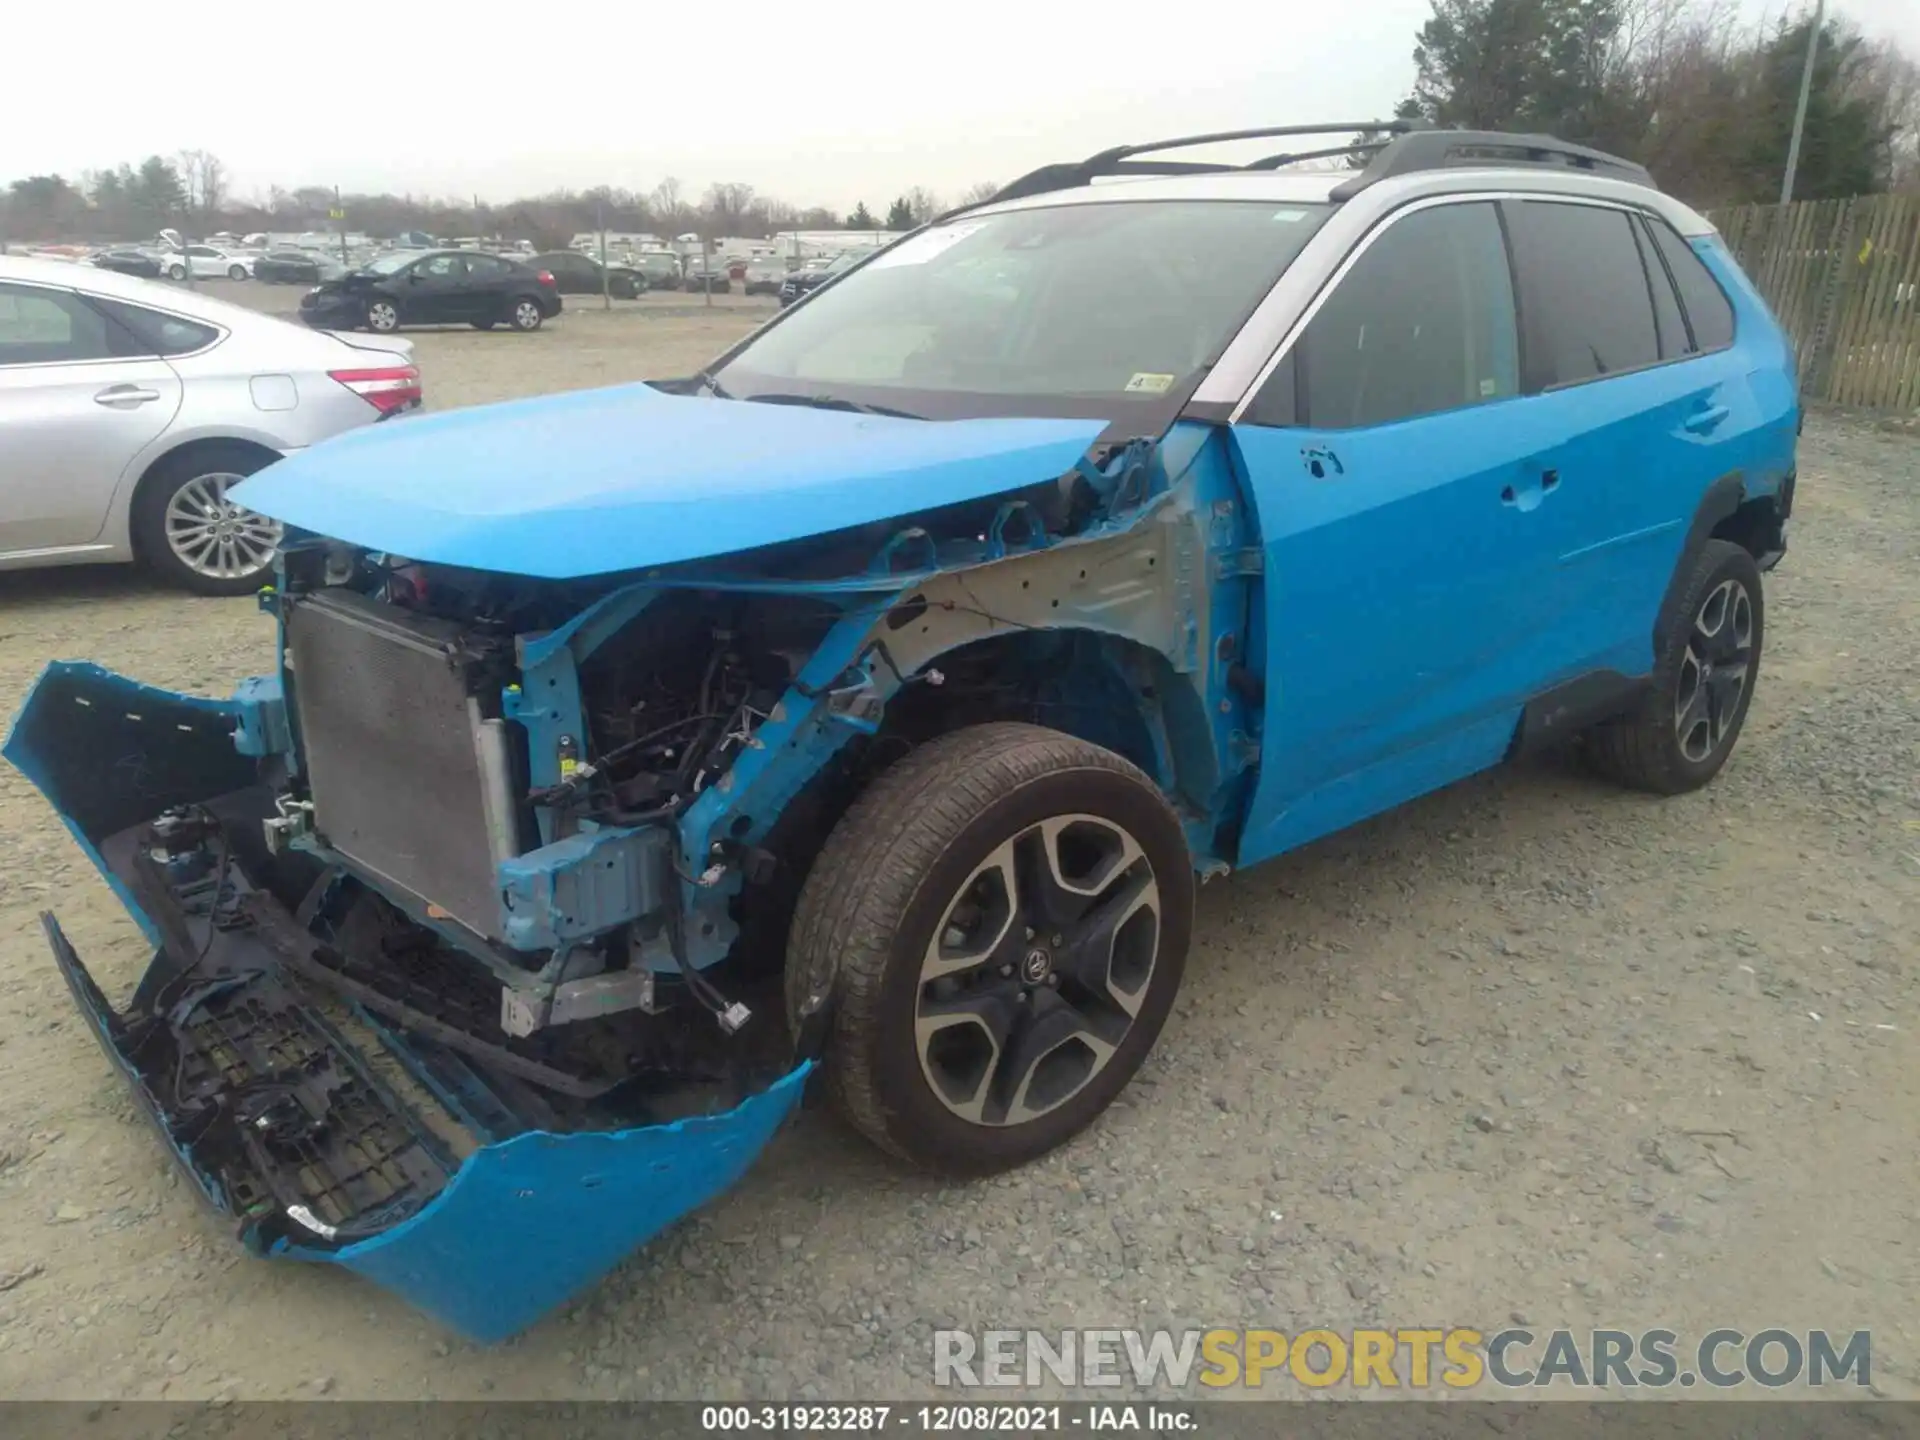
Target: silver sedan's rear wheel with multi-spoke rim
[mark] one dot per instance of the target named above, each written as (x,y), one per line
(191,535)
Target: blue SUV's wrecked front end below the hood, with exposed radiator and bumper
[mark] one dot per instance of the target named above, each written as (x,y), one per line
(469,923)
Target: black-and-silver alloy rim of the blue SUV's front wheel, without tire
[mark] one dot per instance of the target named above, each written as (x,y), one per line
(1038,971)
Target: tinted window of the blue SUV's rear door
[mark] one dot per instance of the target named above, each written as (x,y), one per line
(1591,312)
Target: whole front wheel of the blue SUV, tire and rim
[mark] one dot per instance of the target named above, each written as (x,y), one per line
(994,936)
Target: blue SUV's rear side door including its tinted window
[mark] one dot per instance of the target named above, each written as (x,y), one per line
(1639,416)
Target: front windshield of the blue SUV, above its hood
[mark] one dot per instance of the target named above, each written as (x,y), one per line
(1093,306)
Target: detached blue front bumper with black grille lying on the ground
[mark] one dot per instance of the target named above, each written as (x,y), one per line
(483,1178)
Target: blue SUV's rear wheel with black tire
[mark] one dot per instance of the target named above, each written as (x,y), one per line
(1706,665)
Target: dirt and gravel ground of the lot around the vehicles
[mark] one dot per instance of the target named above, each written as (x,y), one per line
(1529,1049)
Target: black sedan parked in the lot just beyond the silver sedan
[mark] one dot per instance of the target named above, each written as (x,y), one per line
(443,287)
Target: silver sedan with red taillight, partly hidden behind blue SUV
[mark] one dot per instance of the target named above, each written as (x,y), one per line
(130,408)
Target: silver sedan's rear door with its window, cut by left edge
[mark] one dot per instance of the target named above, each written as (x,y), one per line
(78,402)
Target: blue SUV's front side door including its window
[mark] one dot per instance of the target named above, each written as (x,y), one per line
(1393,464)
